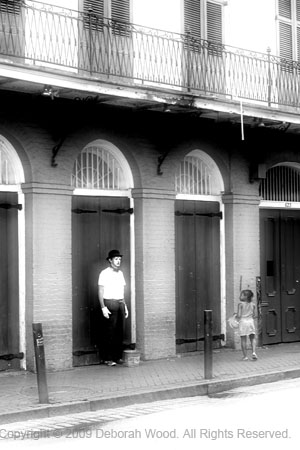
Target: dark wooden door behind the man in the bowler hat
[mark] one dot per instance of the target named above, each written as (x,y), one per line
(99,224)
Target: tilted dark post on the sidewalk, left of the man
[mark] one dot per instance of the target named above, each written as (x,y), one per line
(39,352)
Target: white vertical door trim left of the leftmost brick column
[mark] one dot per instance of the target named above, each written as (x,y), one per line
(22,279)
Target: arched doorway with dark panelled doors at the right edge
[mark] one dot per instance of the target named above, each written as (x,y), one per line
(280,254)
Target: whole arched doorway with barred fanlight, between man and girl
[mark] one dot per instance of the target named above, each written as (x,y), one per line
(199,243)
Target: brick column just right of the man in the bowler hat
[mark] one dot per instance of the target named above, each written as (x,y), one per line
(155,272)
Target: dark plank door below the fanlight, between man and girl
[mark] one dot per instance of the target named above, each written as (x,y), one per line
(197,227)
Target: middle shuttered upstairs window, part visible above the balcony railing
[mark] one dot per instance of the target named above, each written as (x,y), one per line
(203,19)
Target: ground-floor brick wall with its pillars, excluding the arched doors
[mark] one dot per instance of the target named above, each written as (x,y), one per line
(48,197)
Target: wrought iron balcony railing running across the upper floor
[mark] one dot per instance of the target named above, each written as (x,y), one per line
(88,45)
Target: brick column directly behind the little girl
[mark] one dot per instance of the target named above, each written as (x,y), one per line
(242,251)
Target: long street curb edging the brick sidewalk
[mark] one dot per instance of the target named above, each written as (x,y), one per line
(205,387)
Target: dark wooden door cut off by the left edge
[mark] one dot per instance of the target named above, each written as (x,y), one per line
(9,281)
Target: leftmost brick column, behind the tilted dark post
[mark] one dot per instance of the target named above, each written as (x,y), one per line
(48,271)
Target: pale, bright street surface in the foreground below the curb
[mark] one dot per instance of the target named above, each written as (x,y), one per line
(256,417)
